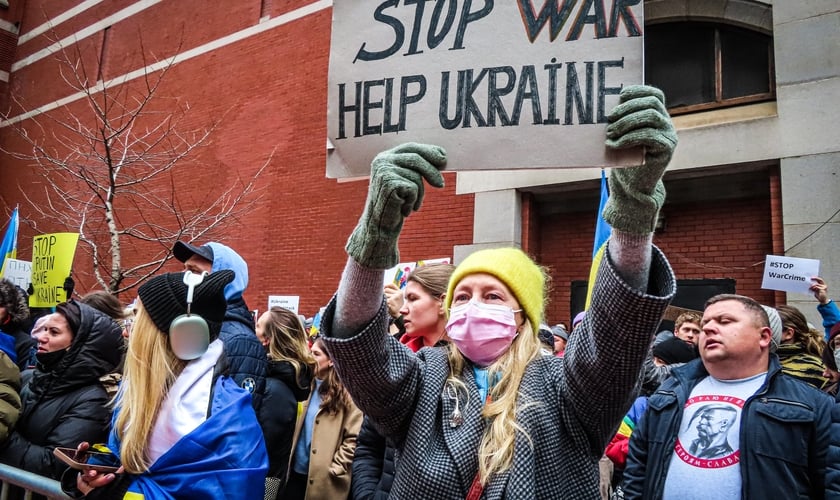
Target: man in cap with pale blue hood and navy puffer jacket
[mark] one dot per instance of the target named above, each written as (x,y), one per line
(245,356)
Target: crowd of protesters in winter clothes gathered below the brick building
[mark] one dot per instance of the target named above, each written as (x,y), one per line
(454,386)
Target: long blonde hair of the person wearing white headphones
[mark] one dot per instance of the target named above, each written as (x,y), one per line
(150,370)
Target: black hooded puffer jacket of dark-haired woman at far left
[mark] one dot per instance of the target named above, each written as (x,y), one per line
(68,404)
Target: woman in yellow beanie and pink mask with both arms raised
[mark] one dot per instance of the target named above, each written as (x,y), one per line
(491,416)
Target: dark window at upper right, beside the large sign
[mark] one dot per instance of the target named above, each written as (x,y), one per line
(703,66)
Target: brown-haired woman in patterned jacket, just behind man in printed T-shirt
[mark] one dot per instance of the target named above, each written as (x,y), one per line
(801,349)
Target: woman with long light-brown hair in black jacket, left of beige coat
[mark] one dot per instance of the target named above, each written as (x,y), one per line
(288,377)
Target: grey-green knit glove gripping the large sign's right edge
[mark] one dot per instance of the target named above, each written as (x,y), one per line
(637,193)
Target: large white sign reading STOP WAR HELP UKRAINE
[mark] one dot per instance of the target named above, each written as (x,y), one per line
(499,84)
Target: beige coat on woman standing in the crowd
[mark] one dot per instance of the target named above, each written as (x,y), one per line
(331,453)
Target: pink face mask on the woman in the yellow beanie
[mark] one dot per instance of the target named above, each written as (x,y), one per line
(482,332)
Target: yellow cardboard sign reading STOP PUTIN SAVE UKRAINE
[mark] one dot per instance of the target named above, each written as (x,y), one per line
(52,260)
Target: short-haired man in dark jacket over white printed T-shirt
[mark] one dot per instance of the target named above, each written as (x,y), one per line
(731,424)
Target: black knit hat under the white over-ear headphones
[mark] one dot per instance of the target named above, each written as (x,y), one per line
(164,298)
